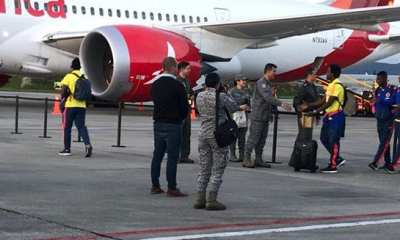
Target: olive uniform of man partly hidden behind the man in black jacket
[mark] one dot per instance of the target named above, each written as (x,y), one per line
(187,124)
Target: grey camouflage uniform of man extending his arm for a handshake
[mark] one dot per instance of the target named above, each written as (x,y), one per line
(260,116)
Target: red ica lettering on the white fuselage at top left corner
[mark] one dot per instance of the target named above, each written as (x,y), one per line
(52,11)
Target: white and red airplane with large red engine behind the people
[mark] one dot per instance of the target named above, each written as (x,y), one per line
(122,43)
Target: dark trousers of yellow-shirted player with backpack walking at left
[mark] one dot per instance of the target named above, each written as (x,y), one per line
(76,115)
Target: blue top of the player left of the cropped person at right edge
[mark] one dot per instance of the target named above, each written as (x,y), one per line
(387,98)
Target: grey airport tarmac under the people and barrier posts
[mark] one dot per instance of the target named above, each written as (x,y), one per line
(47,196)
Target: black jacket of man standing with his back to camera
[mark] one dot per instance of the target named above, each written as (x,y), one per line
(170,101)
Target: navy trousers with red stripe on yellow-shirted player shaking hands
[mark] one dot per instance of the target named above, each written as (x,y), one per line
(331,132)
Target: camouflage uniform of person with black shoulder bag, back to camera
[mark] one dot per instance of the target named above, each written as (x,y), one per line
(213,159)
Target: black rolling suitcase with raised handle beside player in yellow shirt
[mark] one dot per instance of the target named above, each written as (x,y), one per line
(306,150)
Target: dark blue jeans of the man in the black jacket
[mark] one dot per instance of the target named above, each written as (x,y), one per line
(167,138)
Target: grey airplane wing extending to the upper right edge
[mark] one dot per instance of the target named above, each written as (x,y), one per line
(366,19)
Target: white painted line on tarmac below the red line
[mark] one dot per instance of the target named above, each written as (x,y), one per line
(280,230)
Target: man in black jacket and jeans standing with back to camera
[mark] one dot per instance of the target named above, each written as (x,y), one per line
(170,108)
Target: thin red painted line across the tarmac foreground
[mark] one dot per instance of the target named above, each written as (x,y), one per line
(228,226)
